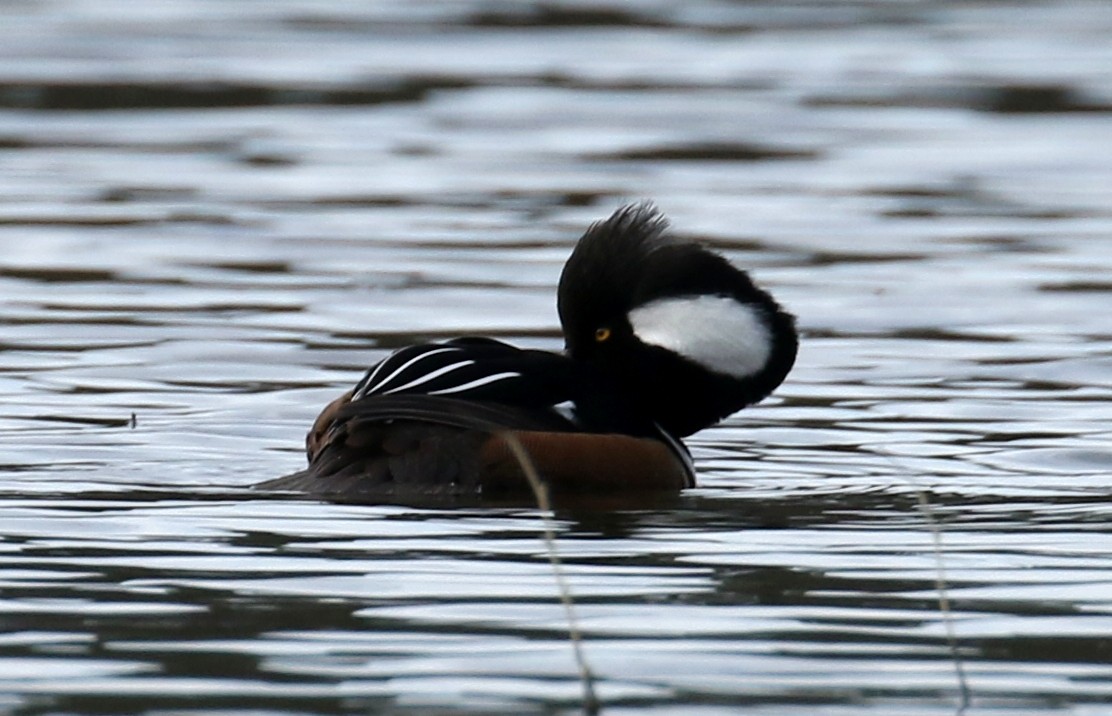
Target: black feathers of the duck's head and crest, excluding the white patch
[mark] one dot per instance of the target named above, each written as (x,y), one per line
(632,260)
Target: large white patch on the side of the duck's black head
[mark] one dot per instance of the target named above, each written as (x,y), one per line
(719,333)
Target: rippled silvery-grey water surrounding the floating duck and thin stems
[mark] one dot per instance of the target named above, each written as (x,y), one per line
(215,215)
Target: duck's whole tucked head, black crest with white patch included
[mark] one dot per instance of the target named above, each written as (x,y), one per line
(684,335)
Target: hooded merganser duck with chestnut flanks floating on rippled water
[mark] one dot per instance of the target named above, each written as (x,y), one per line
(663,339)
